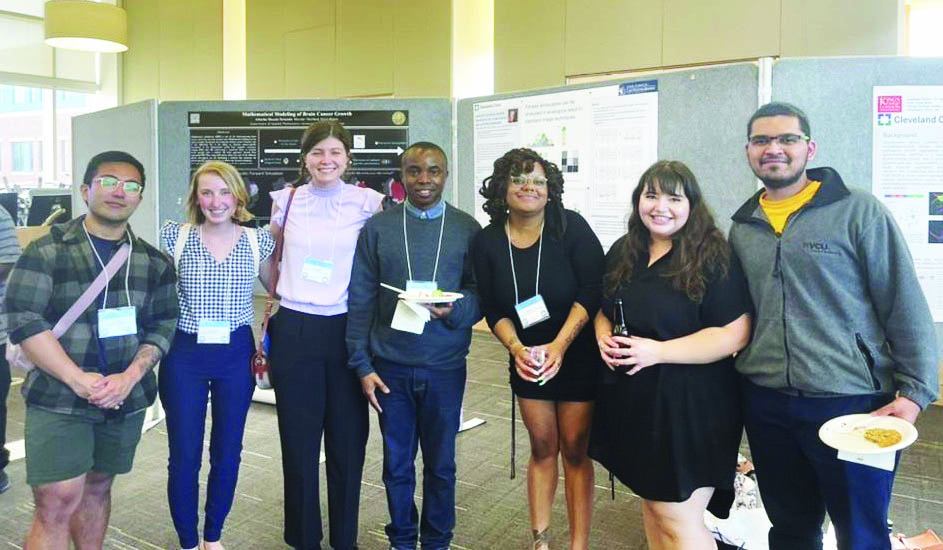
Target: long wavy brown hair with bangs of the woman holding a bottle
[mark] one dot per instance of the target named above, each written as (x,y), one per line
(700,250)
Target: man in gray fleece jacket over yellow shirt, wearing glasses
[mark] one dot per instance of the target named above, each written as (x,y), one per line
(841,327)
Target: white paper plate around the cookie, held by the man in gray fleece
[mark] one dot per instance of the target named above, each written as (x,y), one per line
(846,433)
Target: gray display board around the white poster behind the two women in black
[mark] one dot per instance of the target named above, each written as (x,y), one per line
(702,116)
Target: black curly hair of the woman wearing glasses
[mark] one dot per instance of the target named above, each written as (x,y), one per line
(515,162)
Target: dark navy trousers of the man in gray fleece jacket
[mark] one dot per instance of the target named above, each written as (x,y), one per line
(800,477)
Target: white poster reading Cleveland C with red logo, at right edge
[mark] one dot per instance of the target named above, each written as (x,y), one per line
(908,175)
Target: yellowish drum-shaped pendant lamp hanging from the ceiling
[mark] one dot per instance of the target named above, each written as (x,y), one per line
(87,26)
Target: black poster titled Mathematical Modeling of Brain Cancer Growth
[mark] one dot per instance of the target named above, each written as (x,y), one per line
(266,148)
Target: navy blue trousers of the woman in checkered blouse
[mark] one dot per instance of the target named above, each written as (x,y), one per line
(188,374)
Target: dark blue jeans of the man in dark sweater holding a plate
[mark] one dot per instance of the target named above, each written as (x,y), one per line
(423,409)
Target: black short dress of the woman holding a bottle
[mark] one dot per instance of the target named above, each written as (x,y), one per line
(670,428)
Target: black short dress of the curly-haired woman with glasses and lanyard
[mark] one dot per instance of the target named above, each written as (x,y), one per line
(570,272)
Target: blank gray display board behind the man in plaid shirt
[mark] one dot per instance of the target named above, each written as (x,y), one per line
(130,128)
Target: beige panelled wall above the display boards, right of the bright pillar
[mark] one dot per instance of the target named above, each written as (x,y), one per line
(540,43)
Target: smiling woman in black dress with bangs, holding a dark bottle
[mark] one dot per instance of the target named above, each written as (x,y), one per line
(668,417)
